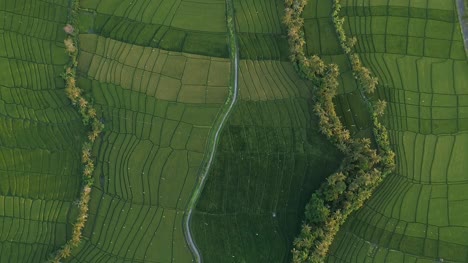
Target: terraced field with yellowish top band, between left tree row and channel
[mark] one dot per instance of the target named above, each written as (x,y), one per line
(158,107)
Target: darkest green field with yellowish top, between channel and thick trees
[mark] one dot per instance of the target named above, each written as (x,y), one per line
(270,158)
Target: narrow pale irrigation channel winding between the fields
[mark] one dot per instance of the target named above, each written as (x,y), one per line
(221,120)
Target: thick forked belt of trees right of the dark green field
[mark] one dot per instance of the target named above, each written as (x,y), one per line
(362,168)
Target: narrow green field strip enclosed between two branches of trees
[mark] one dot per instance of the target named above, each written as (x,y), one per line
(321,40)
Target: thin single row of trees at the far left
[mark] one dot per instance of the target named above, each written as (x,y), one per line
(90,119)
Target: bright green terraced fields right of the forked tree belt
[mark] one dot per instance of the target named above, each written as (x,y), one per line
(417,215)
